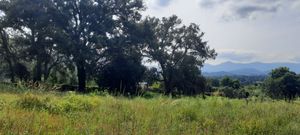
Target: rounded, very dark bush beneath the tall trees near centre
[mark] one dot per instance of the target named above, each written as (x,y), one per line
(122,76)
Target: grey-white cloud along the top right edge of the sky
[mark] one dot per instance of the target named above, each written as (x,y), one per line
(248,9)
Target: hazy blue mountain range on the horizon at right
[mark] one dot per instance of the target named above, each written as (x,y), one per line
(247,69)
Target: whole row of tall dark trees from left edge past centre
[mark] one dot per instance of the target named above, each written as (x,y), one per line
(76,41)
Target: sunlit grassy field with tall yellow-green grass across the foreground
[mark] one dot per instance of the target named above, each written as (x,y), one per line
(38,112)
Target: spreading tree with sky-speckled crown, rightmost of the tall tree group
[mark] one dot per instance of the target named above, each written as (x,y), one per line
(177,48)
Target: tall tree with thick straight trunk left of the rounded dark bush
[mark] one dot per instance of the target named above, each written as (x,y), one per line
(89,24)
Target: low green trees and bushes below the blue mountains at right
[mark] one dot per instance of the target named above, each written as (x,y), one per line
(281,83)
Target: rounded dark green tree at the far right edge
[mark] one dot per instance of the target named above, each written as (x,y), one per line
(282,84)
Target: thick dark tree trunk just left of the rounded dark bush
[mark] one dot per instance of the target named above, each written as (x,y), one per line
(81,76)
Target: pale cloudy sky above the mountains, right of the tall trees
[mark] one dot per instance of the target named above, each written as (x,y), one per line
(241,30)
